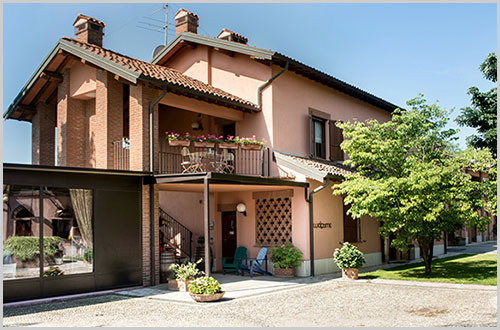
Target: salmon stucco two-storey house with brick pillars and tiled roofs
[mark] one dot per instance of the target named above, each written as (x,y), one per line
(117,194)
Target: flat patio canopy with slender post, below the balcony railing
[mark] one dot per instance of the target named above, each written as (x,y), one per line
(218,182)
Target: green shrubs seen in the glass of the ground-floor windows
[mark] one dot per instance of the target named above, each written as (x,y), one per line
(27,247)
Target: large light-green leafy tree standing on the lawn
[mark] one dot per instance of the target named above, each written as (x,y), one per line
(410,176)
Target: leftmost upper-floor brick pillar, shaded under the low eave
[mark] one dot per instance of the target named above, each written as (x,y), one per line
(43,135)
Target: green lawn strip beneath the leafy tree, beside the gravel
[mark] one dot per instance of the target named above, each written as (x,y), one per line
(463,269)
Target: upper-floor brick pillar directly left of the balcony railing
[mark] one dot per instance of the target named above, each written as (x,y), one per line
(140,99)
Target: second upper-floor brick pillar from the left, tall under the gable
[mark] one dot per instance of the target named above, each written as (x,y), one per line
(70,126)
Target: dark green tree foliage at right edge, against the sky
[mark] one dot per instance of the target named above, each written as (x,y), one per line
(482,114)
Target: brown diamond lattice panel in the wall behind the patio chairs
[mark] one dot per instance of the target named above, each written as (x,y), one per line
(273,221)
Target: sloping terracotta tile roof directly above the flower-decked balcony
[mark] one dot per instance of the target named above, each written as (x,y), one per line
(160,73)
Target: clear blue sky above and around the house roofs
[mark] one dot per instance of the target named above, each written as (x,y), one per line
(394,51)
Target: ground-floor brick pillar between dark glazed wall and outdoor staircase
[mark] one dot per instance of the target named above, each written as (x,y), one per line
(146,237)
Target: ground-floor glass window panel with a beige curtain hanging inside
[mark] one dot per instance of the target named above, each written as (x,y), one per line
(67,231)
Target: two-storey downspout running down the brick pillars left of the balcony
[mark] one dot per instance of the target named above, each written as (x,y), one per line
(151,186)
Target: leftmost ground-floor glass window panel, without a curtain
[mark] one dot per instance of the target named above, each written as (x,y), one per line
(21,232)
